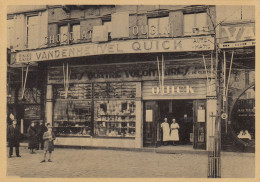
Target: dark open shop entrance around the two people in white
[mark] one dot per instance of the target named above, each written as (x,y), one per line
(189,114)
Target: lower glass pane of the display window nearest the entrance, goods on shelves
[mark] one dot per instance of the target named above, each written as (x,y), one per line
(115,118)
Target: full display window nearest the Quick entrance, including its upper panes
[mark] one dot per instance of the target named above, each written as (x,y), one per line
(114,105)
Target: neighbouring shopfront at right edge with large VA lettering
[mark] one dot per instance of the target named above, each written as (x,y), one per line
(238,49)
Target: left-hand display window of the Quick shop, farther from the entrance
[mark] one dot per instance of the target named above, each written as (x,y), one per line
(72,115)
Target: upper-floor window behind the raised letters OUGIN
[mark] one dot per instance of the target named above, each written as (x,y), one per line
(158,27)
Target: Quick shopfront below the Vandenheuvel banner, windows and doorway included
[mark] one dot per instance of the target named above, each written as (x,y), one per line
(122,105)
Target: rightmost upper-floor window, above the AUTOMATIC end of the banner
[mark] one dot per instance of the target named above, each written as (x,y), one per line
(195,24)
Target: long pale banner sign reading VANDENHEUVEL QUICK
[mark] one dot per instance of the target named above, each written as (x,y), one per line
(117,47)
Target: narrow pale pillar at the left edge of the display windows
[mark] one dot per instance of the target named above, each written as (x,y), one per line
(49,104)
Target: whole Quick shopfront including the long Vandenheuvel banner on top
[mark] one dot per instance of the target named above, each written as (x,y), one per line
(99,94)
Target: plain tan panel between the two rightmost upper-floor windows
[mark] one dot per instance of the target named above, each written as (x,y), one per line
(176,23)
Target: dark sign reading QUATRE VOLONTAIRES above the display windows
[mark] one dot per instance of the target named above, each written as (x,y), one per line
(128,72)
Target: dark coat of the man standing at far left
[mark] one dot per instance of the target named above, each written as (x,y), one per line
(13,136)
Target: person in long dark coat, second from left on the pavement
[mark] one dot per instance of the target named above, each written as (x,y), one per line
(33,137)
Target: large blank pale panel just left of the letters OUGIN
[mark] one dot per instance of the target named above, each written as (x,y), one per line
(120,25)
